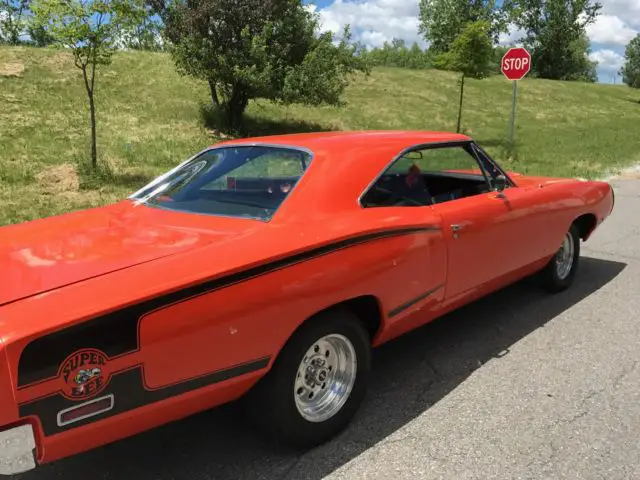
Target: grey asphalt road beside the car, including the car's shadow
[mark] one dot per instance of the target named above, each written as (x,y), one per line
(521,384)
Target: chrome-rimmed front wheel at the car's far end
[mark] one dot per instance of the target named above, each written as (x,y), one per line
(559,273)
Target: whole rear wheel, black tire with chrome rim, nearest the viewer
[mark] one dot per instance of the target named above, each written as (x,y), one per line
(317,382)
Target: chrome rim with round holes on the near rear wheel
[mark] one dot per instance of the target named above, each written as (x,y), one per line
(325,378)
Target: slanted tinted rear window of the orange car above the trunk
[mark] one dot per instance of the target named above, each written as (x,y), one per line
(239,181)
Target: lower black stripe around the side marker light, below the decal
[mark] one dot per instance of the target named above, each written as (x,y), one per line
(128,390)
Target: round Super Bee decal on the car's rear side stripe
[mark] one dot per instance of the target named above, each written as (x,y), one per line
(84,374)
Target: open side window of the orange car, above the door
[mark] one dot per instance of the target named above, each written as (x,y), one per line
(429,176)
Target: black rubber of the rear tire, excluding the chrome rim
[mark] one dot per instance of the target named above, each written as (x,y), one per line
(271,404)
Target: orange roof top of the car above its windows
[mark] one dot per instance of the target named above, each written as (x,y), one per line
(342,140)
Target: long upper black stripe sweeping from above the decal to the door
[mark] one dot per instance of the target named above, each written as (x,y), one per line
(116,333)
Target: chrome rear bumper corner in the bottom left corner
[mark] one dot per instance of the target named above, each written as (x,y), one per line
(17,447)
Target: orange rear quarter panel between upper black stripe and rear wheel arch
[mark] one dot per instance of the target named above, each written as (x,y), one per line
(253,319)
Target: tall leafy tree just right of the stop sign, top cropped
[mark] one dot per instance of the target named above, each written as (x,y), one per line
(556,36)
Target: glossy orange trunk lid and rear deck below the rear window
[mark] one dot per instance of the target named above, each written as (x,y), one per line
(45,254)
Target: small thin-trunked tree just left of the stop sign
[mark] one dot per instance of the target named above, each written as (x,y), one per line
(471,54)
